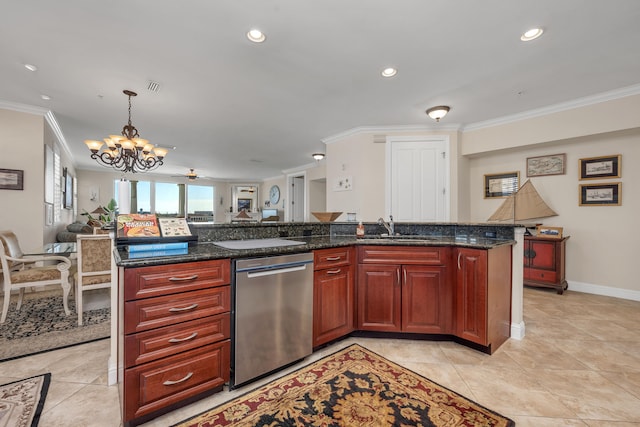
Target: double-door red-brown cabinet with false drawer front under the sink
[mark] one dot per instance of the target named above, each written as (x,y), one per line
(404,289)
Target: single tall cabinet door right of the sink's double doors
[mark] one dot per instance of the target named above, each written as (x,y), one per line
(471,295)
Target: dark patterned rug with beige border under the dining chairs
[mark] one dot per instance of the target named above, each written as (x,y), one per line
(41,325)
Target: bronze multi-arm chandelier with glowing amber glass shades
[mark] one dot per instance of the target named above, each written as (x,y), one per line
(127,152)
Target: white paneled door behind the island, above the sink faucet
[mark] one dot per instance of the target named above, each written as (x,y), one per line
(418,179)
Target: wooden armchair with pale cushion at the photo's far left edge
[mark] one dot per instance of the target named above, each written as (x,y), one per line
(21,271)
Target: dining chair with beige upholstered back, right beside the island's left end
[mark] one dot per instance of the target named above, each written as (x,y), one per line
(94,253)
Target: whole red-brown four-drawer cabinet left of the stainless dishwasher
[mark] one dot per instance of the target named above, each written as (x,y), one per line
(176,335)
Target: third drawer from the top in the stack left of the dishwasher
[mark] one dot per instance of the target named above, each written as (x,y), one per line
(151,345)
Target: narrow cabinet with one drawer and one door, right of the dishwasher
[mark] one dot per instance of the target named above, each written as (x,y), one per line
(333,294)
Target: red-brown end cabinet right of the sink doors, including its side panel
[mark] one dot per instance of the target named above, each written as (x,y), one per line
(483,295)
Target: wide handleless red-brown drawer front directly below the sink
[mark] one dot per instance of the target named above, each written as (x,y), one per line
(431,255)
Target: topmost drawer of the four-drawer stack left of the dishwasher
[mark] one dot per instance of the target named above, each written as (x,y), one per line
(145,282)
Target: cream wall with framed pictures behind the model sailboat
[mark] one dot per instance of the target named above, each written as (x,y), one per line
(601,249)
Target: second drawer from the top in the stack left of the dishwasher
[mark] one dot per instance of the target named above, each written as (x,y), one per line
(167,310)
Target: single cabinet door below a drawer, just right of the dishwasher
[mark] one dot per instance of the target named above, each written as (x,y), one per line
(333,303)
